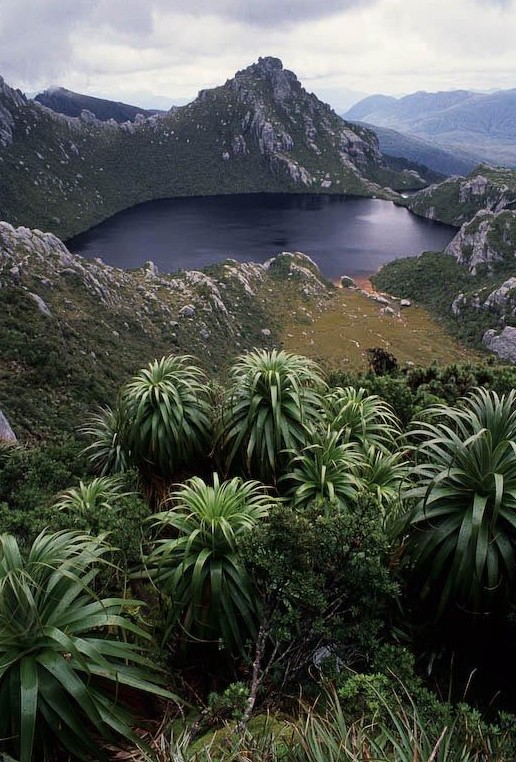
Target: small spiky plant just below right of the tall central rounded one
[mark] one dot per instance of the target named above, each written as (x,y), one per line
(325,469)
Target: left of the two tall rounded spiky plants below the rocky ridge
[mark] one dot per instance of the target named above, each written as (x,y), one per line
(168,415)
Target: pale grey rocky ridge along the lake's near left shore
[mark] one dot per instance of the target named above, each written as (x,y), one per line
(194,305)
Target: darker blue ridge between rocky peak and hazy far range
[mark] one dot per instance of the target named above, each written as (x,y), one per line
(419,151)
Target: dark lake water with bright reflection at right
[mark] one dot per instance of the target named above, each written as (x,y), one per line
(345,236)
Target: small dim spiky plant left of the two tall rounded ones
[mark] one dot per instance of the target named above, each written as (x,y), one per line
(108,452)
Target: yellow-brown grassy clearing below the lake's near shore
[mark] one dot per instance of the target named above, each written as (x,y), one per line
(340,330)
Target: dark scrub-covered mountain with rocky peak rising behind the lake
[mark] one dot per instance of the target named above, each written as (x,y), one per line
(260,131)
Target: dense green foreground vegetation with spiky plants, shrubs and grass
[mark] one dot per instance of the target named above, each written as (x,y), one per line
(378,539)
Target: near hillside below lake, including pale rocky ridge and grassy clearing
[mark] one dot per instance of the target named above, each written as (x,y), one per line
(73,329)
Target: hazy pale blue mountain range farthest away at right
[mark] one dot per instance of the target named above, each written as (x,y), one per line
(483,124)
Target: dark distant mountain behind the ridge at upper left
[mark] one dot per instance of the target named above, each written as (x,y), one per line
(72,104)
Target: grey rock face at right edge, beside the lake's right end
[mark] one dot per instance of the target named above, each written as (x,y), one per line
(488,238)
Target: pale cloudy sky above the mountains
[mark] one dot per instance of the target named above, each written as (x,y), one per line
(127,49)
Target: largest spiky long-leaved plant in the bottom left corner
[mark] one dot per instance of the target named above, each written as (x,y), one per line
(58,655)
